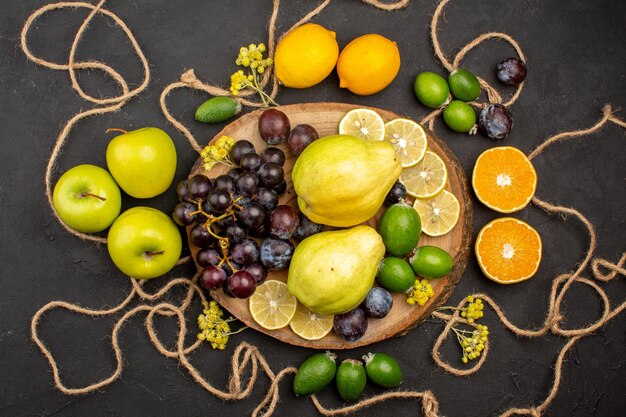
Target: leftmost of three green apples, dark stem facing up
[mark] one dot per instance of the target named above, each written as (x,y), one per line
(87,198)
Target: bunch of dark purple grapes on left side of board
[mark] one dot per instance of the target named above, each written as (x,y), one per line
(230,211)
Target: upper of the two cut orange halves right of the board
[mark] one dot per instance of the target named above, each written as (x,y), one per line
(504,179)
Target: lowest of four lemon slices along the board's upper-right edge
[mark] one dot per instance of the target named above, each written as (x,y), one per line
(438,214)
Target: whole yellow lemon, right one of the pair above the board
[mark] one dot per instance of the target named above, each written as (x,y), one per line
(368,64)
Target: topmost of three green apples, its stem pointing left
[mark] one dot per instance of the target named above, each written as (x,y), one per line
(143,162)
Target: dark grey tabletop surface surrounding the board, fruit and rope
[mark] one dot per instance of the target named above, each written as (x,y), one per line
(576,58)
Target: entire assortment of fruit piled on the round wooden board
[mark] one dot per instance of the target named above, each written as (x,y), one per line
(341,273)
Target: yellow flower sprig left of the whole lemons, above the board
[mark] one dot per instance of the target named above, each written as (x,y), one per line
(251,58)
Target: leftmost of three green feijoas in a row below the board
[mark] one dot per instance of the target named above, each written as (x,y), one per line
(315,373)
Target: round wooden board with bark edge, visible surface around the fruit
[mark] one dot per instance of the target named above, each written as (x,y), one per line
(325,118)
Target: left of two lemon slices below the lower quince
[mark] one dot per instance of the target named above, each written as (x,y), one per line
(272,306)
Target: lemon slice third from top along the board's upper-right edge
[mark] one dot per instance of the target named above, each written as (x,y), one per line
(426,178)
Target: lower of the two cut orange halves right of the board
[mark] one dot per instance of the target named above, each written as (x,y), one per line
(508,250)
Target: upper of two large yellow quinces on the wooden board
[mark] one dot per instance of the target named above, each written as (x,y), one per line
(342,181)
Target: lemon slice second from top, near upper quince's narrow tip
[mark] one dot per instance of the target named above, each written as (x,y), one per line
(408,139)
